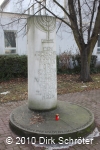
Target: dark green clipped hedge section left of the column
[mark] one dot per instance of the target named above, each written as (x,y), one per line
(12,66)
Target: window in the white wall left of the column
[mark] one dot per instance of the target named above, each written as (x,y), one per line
(10,42)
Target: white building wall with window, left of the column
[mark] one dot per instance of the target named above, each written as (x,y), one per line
(12,35)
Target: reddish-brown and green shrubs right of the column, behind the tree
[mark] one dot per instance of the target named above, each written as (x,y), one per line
(65,60)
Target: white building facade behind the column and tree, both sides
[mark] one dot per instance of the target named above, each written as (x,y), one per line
(15,12)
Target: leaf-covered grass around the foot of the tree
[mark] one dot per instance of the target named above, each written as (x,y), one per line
(70,84)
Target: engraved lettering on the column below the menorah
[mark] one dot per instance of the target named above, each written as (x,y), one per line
(46,75)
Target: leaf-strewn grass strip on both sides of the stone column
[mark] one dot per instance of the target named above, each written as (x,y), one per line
(65,84)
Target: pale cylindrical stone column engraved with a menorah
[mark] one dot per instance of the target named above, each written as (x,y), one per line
(42,82)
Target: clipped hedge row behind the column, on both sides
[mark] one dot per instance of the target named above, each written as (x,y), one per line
(15,66)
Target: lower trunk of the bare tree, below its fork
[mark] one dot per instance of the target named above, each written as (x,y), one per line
(85,66)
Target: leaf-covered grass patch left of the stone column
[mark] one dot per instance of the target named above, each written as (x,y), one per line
(18,90)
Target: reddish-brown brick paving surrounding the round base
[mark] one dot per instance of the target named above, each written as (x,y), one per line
(89,99)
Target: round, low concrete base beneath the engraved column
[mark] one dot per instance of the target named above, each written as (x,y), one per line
(74,121)
